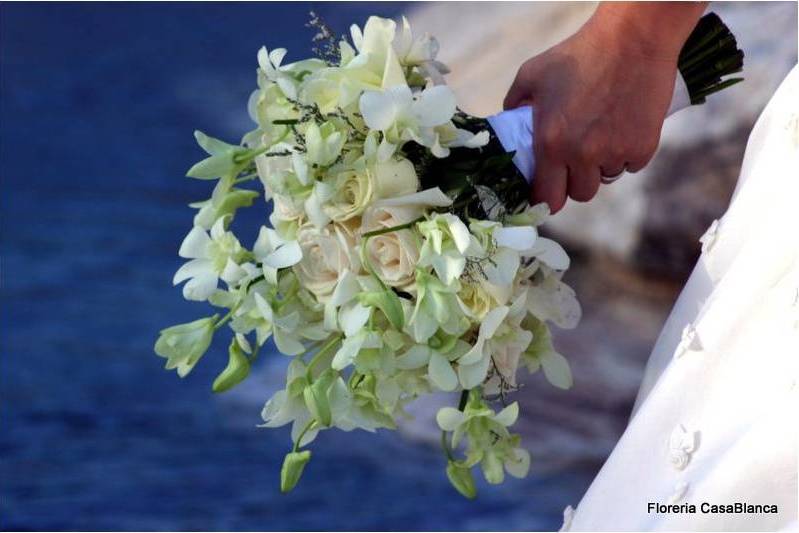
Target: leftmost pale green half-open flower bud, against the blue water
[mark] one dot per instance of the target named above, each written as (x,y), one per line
(184,344)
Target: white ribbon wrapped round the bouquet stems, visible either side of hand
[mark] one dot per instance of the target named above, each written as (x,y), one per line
(514,128)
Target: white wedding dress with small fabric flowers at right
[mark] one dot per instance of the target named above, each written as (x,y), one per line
(716,418)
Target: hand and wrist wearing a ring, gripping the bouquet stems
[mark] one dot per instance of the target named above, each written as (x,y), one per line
(600,97)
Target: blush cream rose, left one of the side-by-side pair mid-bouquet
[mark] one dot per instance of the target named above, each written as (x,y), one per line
(326,252)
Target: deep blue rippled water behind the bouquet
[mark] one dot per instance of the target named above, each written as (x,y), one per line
(98,105)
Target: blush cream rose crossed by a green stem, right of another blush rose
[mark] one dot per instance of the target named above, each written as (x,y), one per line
(393,255)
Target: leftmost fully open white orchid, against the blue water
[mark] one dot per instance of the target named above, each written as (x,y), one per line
(212,258)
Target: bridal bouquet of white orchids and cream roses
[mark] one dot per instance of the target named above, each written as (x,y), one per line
(400,257)
